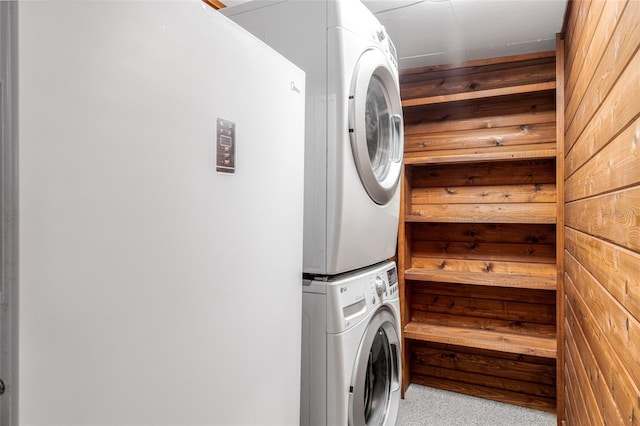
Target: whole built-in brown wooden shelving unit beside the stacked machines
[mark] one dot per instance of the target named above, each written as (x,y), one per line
(478,238)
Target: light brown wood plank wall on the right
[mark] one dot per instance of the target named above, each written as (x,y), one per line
(602,212)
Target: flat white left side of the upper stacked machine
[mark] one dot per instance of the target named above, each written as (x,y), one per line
(298,30)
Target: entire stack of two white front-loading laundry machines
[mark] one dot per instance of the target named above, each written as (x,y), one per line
(351,359)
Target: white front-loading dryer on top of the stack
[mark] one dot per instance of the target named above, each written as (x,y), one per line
(354,132)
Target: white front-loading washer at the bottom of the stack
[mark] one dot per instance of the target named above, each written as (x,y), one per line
(351,364)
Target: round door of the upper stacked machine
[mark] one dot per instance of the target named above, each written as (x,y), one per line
(375,125)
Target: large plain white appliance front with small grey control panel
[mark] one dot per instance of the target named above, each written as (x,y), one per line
(154,290)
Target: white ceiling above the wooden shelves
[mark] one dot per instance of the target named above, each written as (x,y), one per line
(436,32)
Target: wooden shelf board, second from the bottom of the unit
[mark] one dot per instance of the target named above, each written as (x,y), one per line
(485,277)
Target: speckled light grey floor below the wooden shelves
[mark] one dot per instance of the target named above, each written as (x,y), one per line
(424,406)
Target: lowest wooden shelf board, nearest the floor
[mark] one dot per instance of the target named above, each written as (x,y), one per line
(492,339)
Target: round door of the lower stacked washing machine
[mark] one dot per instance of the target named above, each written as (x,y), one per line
(374,395)
